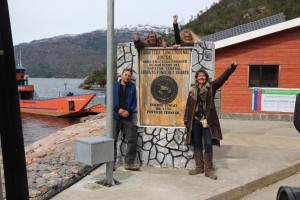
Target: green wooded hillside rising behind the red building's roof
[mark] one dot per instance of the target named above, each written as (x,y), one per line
(230,13)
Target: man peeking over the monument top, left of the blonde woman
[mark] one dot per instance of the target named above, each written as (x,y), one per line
(150,41)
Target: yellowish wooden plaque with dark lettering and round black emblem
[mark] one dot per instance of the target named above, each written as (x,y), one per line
(164,76)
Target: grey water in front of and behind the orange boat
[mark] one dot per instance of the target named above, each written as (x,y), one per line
(36,127)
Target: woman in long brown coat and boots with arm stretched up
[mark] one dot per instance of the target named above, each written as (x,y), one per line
(200,106)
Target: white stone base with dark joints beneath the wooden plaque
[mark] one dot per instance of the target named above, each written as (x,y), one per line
(163,147)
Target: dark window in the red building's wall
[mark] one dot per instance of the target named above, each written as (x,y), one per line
(263,76)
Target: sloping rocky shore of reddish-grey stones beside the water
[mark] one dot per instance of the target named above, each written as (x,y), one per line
(51,164)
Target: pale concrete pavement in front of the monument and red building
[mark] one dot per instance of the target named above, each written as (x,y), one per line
(253,155)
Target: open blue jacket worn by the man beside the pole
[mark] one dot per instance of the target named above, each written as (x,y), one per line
(131,99)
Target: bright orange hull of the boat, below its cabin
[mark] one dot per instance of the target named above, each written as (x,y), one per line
(68,106)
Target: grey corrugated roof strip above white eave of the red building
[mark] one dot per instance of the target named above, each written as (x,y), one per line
(245,28)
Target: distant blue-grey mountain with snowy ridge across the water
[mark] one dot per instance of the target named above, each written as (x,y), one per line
(74,56)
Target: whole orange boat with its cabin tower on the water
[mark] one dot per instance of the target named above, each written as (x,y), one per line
(67,106)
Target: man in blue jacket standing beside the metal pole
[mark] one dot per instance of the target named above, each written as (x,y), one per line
(125,102)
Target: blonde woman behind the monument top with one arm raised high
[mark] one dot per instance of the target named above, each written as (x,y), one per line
(186,36)
